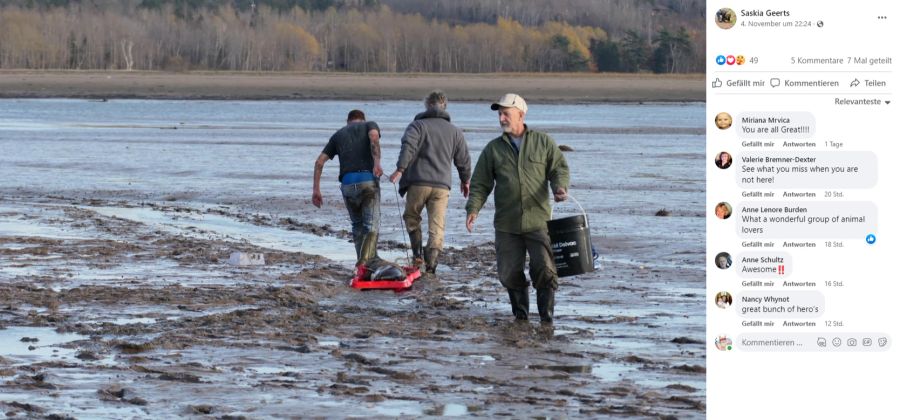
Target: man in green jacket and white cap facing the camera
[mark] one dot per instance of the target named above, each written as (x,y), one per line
(517,166)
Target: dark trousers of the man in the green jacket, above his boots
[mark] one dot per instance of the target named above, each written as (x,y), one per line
(511,249)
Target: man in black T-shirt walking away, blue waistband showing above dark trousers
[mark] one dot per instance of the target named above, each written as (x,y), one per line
(359,152)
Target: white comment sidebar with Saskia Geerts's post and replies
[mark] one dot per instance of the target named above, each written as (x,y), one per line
(801,193)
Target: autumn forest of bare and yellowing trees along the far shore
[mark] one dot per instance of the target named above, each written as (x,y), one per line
(393,36)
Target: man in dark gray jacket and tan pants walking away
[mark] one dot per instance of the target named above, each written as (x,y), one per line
(430,145)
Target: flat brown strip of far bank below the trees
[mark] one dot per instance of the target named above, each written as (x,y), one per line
(556,87)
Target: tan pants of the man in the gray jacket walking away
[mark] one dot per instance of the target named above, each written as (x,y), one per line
(434,199)
